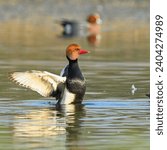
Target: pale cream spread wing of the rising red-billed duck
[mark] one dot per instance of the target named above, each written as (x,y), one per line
(43,82)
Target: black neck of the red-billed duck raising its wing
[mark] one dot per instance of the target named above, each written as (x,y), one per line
(74,71)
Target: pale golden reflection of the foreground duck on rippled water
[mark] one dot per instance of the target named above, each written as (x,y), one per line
(47,122)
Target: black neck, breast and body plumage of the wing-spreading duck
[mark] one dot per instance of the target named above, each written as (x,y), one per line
(75,82)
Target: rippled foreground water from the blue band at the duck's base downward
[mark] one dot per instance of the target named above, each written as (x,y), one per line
(108,124)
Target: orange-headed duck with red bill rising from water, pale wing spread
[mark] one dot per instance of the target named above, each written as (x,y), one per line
(68,88)
